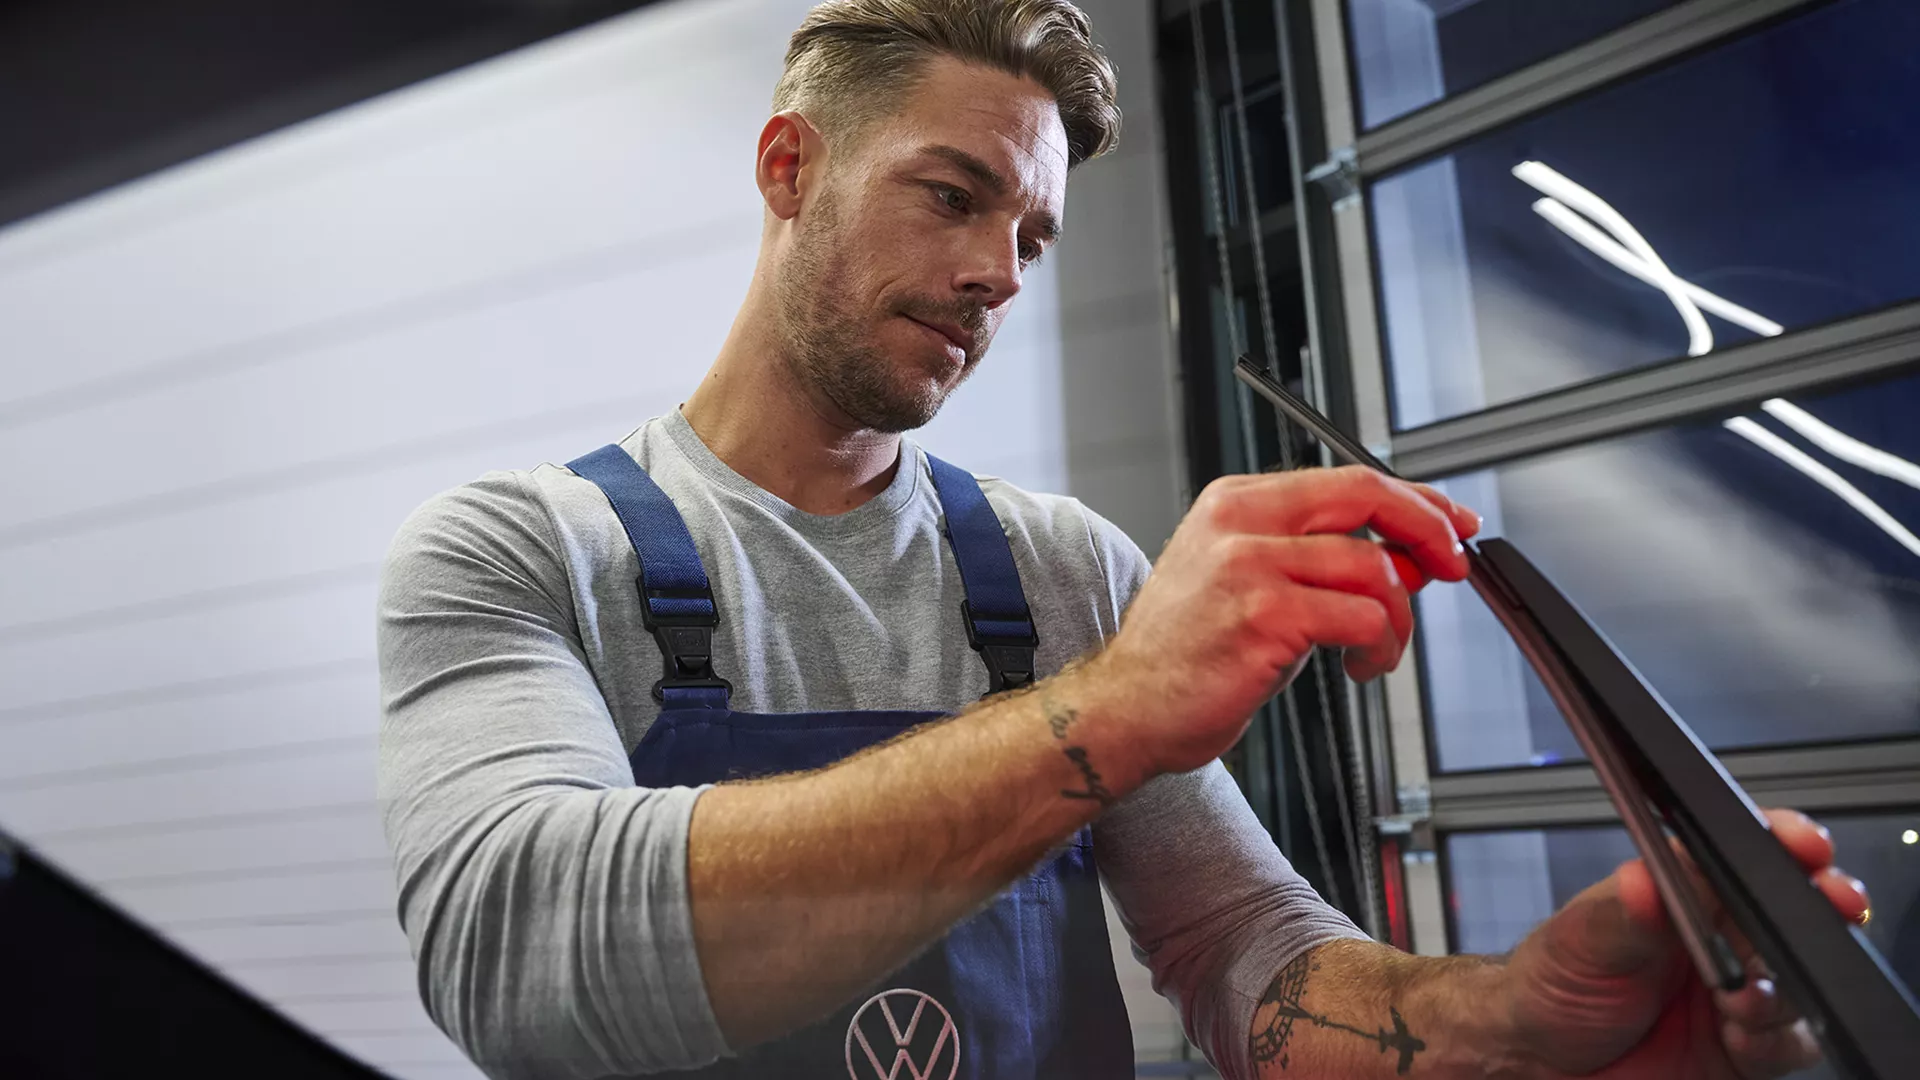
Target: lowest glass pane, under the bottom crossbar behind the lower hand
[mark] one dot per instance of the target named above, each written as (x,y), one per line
(1502,885)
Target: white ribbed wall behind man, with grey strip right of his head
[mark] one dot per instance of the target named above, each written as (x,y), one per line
(231,380)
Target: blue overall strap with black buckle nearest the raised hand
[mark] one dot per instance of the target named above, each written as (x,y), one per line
(996,610)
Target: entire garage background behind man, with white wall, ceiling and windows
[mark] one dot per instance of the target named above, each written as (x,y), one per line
(268,280)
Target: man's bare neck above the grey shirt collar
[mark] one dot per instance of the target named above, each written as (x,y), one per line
(757,416)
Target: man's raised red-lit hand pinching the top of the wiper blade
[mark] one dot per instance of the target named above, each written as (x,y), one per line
(1259,574)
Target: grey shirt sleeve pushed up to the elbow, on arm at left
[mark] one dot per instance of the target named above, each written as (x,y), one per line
(542,893)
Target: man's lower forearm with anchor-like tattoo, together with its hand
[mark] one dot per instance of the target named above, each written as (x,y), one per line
(1604,991)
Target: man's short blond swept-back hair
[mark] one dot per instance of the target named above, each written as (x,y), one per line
(852,59)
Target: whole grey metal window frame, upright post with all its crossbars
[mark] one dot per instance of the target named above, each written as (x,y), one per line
(1349,372)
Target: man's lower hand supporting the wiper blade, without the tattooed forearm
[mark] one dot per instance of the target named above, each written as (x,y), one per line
(1604,989)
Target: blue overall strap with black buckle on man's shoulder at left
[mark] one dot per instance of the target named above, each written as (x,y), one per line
(675,599)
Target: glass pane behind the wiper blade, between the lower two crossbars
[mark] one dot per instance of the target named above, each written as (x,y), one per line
(1764,574)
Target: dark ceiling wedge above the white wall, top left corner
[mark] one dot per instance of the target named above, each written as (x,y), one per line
(97,93)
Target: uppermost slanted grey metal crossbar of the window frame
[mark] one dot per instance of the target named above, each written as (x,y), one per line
(1629,51)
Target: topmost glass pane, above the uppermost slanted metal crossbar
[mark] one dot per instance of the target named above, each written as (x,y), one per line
(1414,53)
